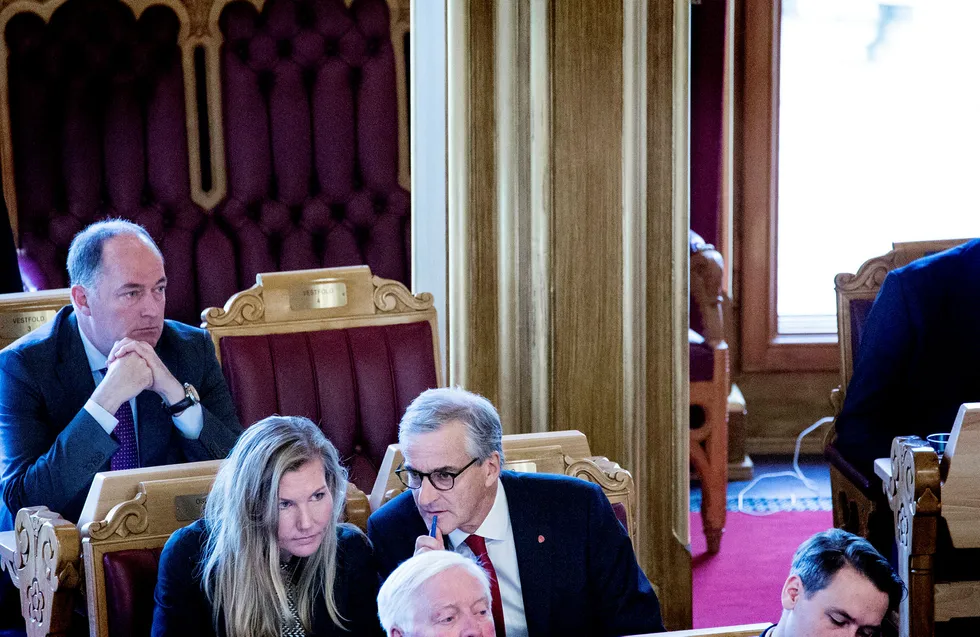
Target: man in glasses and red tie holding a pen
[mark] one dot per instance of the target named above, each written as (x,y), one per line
(559,561)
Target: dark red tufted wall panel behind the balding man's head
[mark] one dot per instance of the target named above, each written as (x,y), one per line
(97,110)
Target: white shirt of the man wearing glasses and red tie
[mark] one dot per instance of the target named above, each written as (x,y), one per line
(502,551)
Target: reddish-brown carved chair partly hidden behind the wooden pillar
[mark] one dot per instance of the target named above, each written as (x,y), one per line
(710,387)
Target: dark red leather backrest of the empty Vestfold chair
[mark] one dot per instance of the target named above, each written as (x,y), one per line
(355,383)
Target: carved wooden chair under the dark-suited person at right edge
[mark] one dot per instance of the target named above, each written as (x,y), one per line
(858,502)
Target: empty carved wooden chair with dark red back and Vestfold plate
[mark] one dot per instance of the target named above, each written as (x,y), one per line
(346,349)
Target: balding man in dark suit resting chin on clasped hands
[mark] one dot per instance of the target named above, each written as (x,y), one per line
(108,384)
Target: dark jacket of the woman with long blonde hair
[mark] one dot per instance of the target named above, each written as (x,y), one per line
(182,608)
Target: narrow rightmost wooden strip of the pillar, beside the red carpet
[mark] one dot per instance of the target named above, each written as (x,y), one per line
(666,557)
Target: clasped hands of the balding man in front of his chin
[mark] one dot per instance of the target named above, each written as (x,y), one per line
(133,366)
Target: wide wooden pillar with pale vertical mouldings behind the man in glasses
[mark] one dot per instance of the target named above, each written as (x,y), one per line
(568,238)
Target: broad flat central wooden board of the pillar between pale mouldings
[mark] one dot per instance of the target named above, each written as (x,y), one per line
(586,253)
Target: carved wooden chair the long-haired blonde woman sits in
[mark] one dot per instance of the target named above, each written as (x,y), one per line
(114,549)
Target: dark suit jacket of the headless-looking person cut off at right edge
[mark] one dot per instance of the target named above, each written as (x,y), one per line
(918,357)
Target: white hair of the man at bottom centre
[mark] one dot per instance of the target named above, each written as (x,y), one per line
(402,588)
